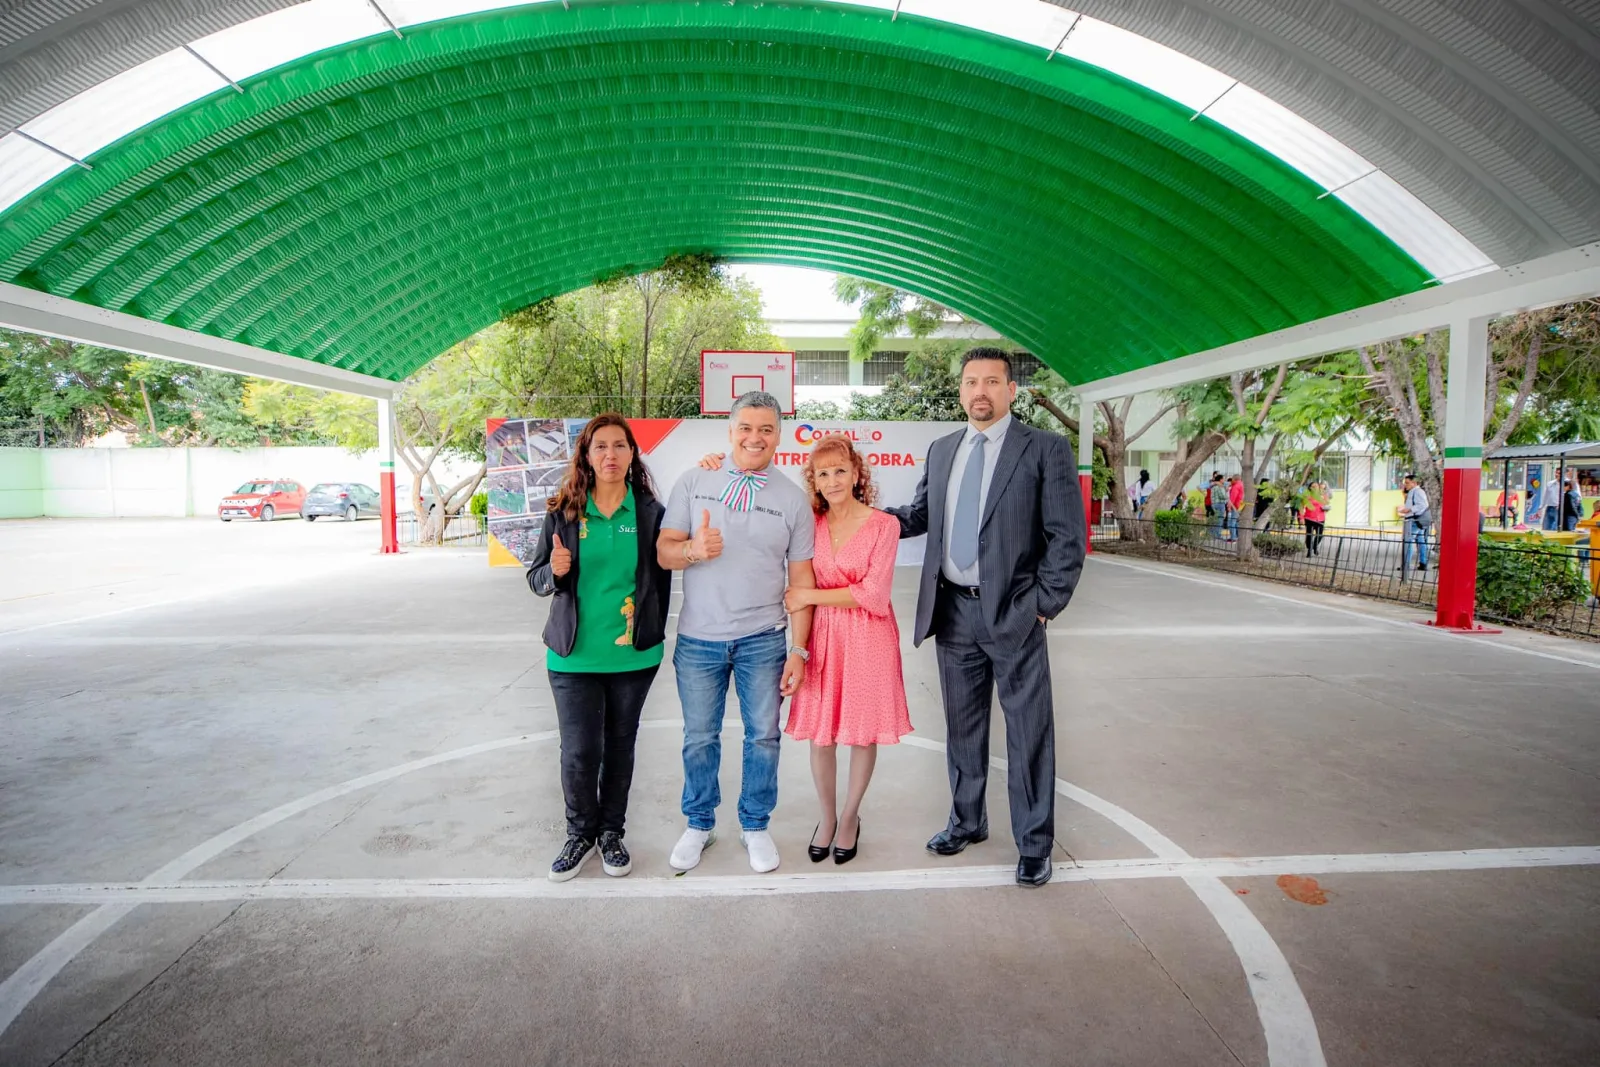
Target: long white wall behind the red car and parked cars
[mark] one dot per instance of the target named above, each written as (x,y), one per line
(177,482)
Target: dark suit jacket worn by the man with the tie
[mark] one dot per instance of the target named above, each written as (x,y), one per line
(1033,538)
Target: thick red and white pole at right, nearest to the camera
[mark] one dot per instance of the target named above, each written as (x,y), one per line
(1458,513)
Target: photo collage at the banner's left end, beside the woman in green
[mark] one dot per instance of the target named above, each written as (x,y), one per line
(527,462)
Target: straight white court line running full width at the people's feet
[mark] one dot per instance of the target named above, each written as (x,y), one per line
(961,877)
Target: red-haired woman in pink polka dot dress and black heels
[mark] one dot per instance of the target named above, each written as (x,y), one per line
(854,692)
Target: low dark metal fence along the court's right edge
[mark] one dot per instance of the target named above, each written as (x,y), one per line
(1513,578)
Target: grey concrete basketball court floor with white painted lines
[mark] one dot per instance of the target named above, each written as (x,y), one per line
(271,799)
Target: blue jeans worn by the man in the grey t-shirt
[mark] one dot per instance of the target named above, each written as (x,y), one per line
(758,668)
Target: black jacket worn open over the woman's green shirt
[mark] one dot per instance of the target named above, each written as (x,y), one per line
(652,581)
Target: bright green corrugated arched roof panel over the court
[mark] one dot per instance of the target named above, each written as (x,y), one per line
(372,206)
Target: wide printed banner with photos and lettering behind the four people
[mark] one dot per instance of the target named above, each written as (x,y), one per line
(529,458)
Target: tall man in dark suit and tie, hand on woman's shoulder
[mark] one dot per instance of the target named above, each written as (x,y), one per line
(1004,516)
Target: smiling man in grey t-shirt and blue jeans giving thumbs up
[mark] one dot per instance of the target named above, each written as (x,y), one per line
(742,535)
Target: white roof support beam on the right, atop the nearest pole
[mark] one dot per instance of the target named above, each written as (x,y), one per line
(1556,279)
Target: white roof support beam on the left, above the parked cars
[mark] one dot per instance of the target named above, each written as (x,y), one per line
(71,321)
